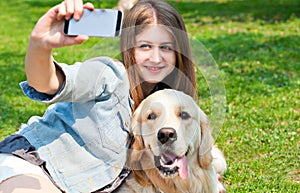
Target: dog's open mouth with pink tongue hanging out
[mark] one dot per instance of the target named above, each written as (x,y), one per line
(170,166)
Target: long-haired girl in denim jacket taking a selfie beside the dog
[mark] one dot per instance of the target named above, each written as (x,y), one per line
(80,143)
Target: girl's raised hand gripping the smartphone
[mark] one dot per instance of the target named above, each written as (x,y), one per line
(48,32)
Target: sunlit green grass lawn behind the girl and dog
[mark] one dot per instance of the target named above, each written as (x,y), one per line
(255,44)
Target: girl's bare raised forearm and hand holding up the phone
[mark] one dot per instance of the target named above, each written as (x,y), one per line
(42,73)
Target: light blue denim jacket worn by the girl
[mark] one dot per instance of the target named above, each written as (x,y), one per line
(83,135)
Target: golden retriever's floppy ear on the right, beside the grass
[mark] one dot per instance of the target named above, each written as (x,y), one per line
(206,142)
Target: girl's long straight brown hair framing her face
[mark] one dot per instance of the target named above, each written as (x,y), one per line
(147,12)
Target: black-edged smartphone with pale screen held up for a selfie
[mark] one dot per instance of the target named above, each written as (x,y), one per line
(96,23)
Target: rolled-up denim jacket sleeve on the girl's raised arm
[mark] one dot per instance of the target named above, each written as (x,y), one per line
(93,79)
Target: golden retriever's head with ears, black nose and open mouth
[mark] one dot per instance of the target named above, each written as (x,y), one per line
(171,134)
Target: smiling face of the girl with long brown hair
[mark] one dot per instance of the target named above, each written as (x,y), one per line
(154,53)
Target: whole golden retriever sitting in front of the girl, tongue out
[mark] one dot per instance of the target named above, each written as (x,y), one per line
(172,147)
